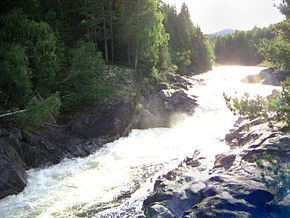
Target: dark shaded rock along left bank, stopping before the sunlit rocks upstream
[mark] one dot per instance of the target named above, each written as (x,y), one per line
(82,136)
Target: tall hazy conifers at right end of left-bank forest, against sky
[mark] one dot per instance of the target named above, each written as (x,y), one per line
(190,50)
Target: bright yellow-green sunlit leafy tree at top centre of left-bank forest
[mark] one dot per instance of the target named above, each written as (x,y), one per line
(146,37)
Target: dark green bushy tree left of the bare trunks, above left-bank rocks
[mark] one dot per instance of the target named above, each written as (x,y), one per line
(86,84)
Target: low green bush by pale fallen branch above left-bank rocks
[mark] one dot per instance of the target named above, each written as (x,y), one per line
(37,112)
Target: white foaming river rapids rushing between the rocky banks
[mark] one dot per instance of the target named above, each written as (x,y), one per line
(115,180)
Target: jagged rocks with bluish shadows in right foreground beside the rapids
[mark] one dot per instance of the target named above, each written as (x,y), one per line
(232,187)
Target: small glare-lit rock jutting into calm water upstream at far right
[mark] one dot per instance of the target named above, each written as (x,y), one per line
(268,77)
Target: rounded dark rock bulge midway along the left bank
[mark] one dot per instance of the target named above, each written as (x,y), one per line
(114,118)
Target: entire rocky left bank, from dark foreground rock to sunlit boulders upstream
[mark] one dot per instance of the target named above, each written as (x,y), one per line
(88,131)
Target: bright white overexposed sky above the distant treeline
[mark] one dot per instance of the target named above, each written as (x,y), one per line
(215,15)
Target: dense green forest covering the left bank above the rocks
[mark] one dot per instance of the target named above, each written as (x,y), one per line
(53,52)
